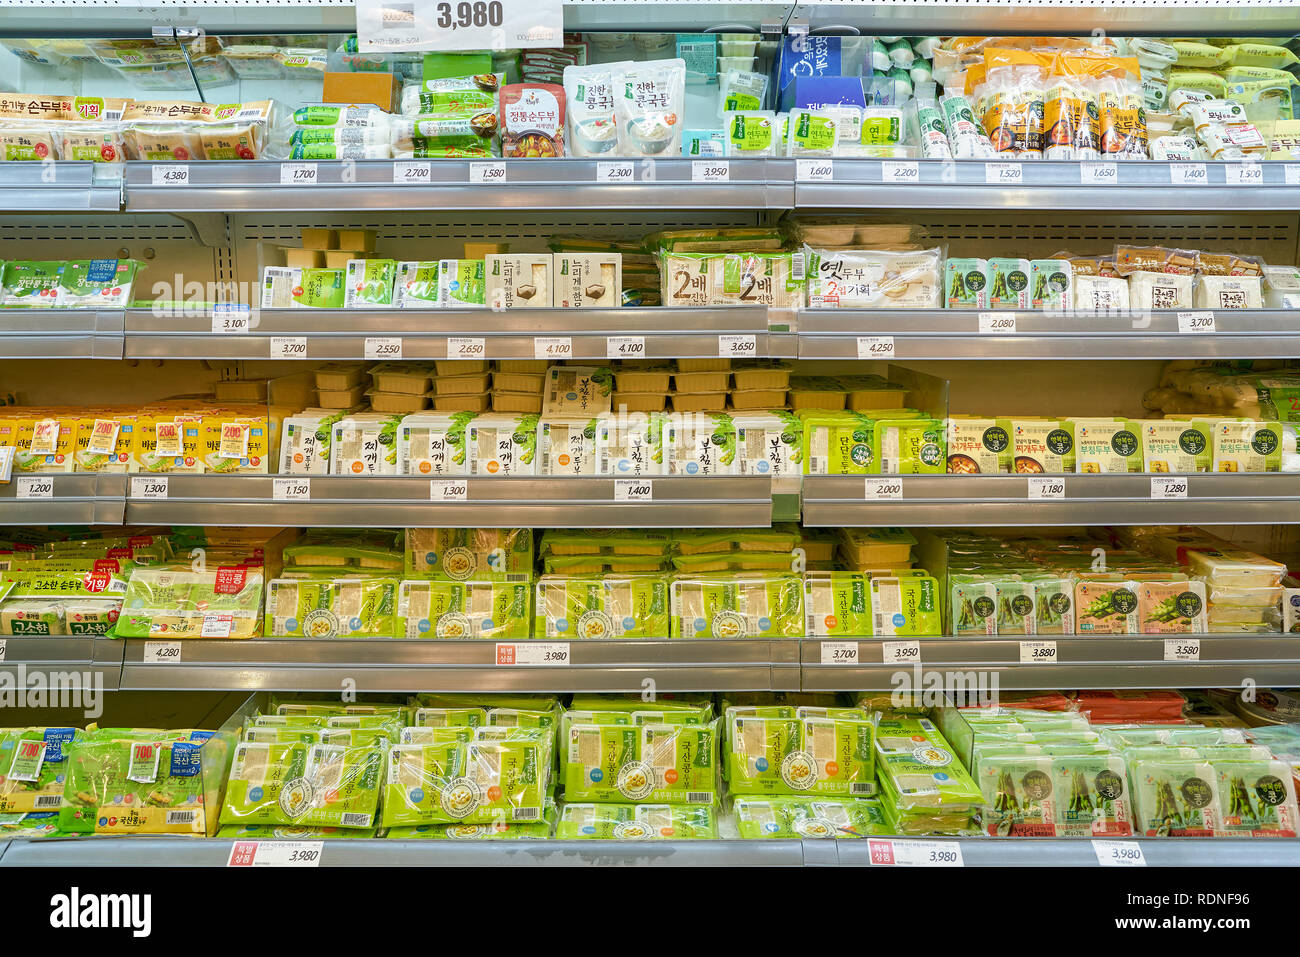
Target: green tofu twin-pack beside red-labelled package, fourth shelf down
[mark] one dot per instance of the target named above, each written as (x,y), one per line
(331,608)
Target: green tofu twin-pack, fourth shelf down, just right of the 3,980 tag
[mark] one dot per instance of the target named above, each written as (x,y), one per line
(612,607)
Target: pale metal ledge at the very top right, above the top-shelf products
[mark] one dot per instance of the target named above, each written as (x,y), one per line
(1061,18)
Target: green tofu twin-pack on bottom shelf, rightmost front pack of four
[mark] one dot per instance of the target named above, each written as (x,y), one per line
(801,751)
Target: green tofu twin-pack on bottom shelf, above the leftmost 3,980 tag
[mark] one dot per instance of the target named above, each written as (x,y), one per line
(305,785)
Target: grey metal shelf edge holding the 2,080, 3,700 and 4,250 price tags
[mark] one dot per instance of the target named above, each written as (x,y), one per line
(956,335)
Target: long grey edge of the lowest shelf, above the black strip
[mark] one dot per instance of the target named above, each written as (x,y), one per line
(976,852)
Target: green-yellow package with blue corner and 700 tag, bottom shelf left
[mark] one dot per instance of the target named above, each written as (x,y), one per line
(135,785)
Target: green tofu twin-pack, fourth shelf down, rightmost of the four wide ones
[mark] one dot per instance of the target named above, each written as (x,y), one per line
(738,607)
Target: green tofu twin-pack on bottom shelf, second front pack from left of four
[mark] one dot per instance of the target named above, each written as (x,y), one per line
(495,777)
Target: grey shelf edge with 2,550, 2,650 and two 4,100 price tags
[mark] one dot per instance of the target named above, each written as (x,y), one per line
(426,334)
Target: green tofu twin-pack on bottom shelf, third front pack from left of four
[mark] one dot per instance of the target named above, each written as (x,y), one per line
(647,764)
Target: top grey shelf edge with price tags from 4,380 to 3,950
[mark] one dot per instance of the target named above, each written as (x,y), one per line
(652,184)
